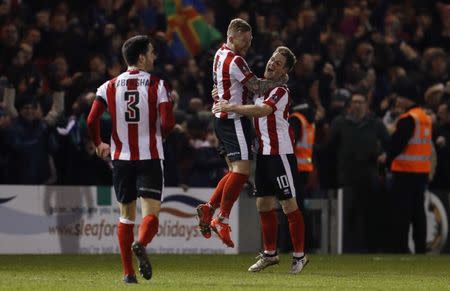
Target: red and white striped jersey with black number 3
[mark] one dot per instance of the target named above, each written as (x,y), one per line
(133,99)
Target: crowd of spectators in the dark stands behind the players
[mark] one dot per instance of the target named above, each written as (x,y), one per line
(54,54)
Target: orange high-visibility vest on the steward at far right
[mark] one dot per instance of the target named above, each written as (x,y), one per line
(416,156)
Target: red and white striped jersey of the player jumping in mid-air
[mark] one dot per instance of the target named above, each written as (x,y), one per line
(230,72)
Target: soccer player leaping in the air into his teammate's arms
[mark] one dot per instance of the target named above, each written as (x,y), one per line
(233,80)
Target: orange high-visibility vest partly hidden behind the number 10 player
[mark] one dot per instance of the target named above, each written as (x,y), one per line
(304,146)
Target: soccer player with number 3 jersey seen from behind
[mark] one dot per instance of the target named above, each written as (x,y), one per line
(141,112)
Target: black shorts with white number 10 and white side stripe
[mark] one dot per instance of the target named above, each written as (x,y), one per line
(276,175)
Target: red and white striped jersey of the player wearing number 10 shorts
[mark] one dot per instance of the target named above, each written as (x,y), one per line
(273,133)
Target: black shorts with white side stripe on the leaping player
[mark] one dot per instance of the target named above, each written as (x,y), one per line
(235,138)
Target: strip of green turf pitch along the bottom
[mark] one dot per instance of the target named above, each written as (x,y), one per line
(221,272)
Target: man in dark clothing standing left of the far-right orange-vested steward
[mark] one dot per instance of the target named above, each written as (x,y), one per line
(359,139)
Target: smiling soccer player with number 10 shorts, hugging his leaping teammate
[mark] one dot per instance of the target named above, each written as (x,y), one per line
(276,166)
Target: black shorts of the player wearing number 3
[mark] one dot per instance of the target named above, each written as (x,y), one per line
(134,179)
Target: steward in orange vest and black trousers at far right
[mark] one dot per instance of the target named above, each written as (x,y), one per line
(409,159)
